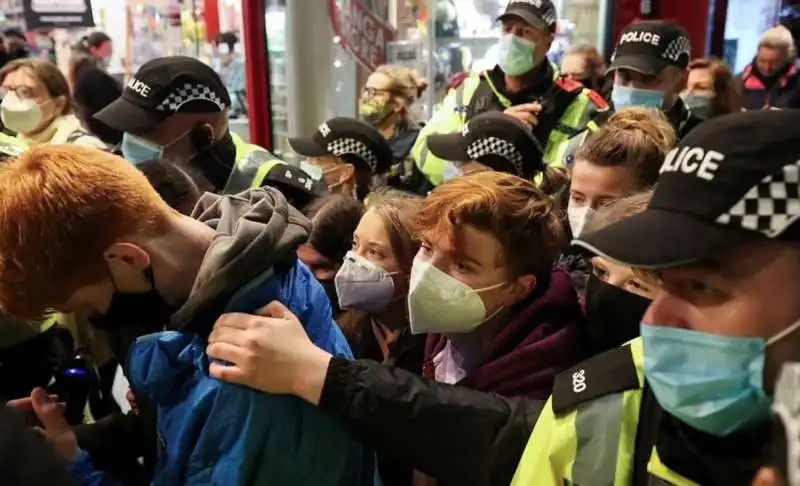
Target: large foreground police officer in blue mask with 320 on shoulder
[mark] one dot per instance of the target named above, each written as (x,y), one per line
(688,402)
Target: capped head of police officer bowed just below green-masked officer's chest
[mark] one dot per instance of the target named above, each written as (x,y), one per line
(494,141)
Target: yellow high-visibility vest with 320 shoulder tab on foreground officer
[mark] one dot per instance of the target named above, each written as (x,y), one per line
(586,433)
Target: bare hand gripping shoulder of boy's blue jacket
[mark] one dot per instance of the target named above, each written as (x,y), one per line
(270,352)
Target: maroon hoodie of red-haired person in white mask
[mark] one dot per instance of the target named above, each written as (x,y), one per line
(540,340)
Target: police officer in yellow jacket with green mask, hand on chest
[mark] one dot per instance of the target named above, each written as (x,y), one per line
(524,84)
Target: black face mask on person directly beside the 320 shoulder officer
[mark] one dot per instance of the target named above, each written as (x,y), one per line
(613,315)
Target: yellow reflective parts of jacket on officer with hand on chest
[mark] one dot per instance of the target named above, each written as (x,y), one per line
(451,117)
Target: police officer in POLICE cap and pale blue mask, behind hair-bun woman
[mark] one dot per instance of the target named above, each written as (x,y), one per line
(649,68)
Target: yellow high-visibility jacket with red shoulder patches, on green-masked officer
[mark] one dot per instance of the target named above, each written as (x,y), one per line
(459,106)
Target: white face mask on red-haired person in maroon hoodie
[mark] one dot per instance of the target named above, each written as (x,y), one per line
(440,303)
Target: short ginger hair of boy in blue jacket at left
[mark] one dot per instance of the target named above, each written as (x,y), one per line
(61,207)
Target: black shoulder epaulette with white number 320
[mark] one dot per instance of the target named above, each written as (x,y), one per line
(611,372)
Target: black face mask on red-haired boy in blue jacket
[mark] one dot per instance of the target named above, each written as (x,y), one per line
(132,315)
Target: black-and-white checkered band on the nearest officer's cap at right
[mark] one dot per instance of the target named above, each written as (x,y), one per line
(769,207)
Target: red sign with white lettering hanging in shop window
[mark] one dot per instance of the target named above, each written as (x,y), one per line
(362,33)
